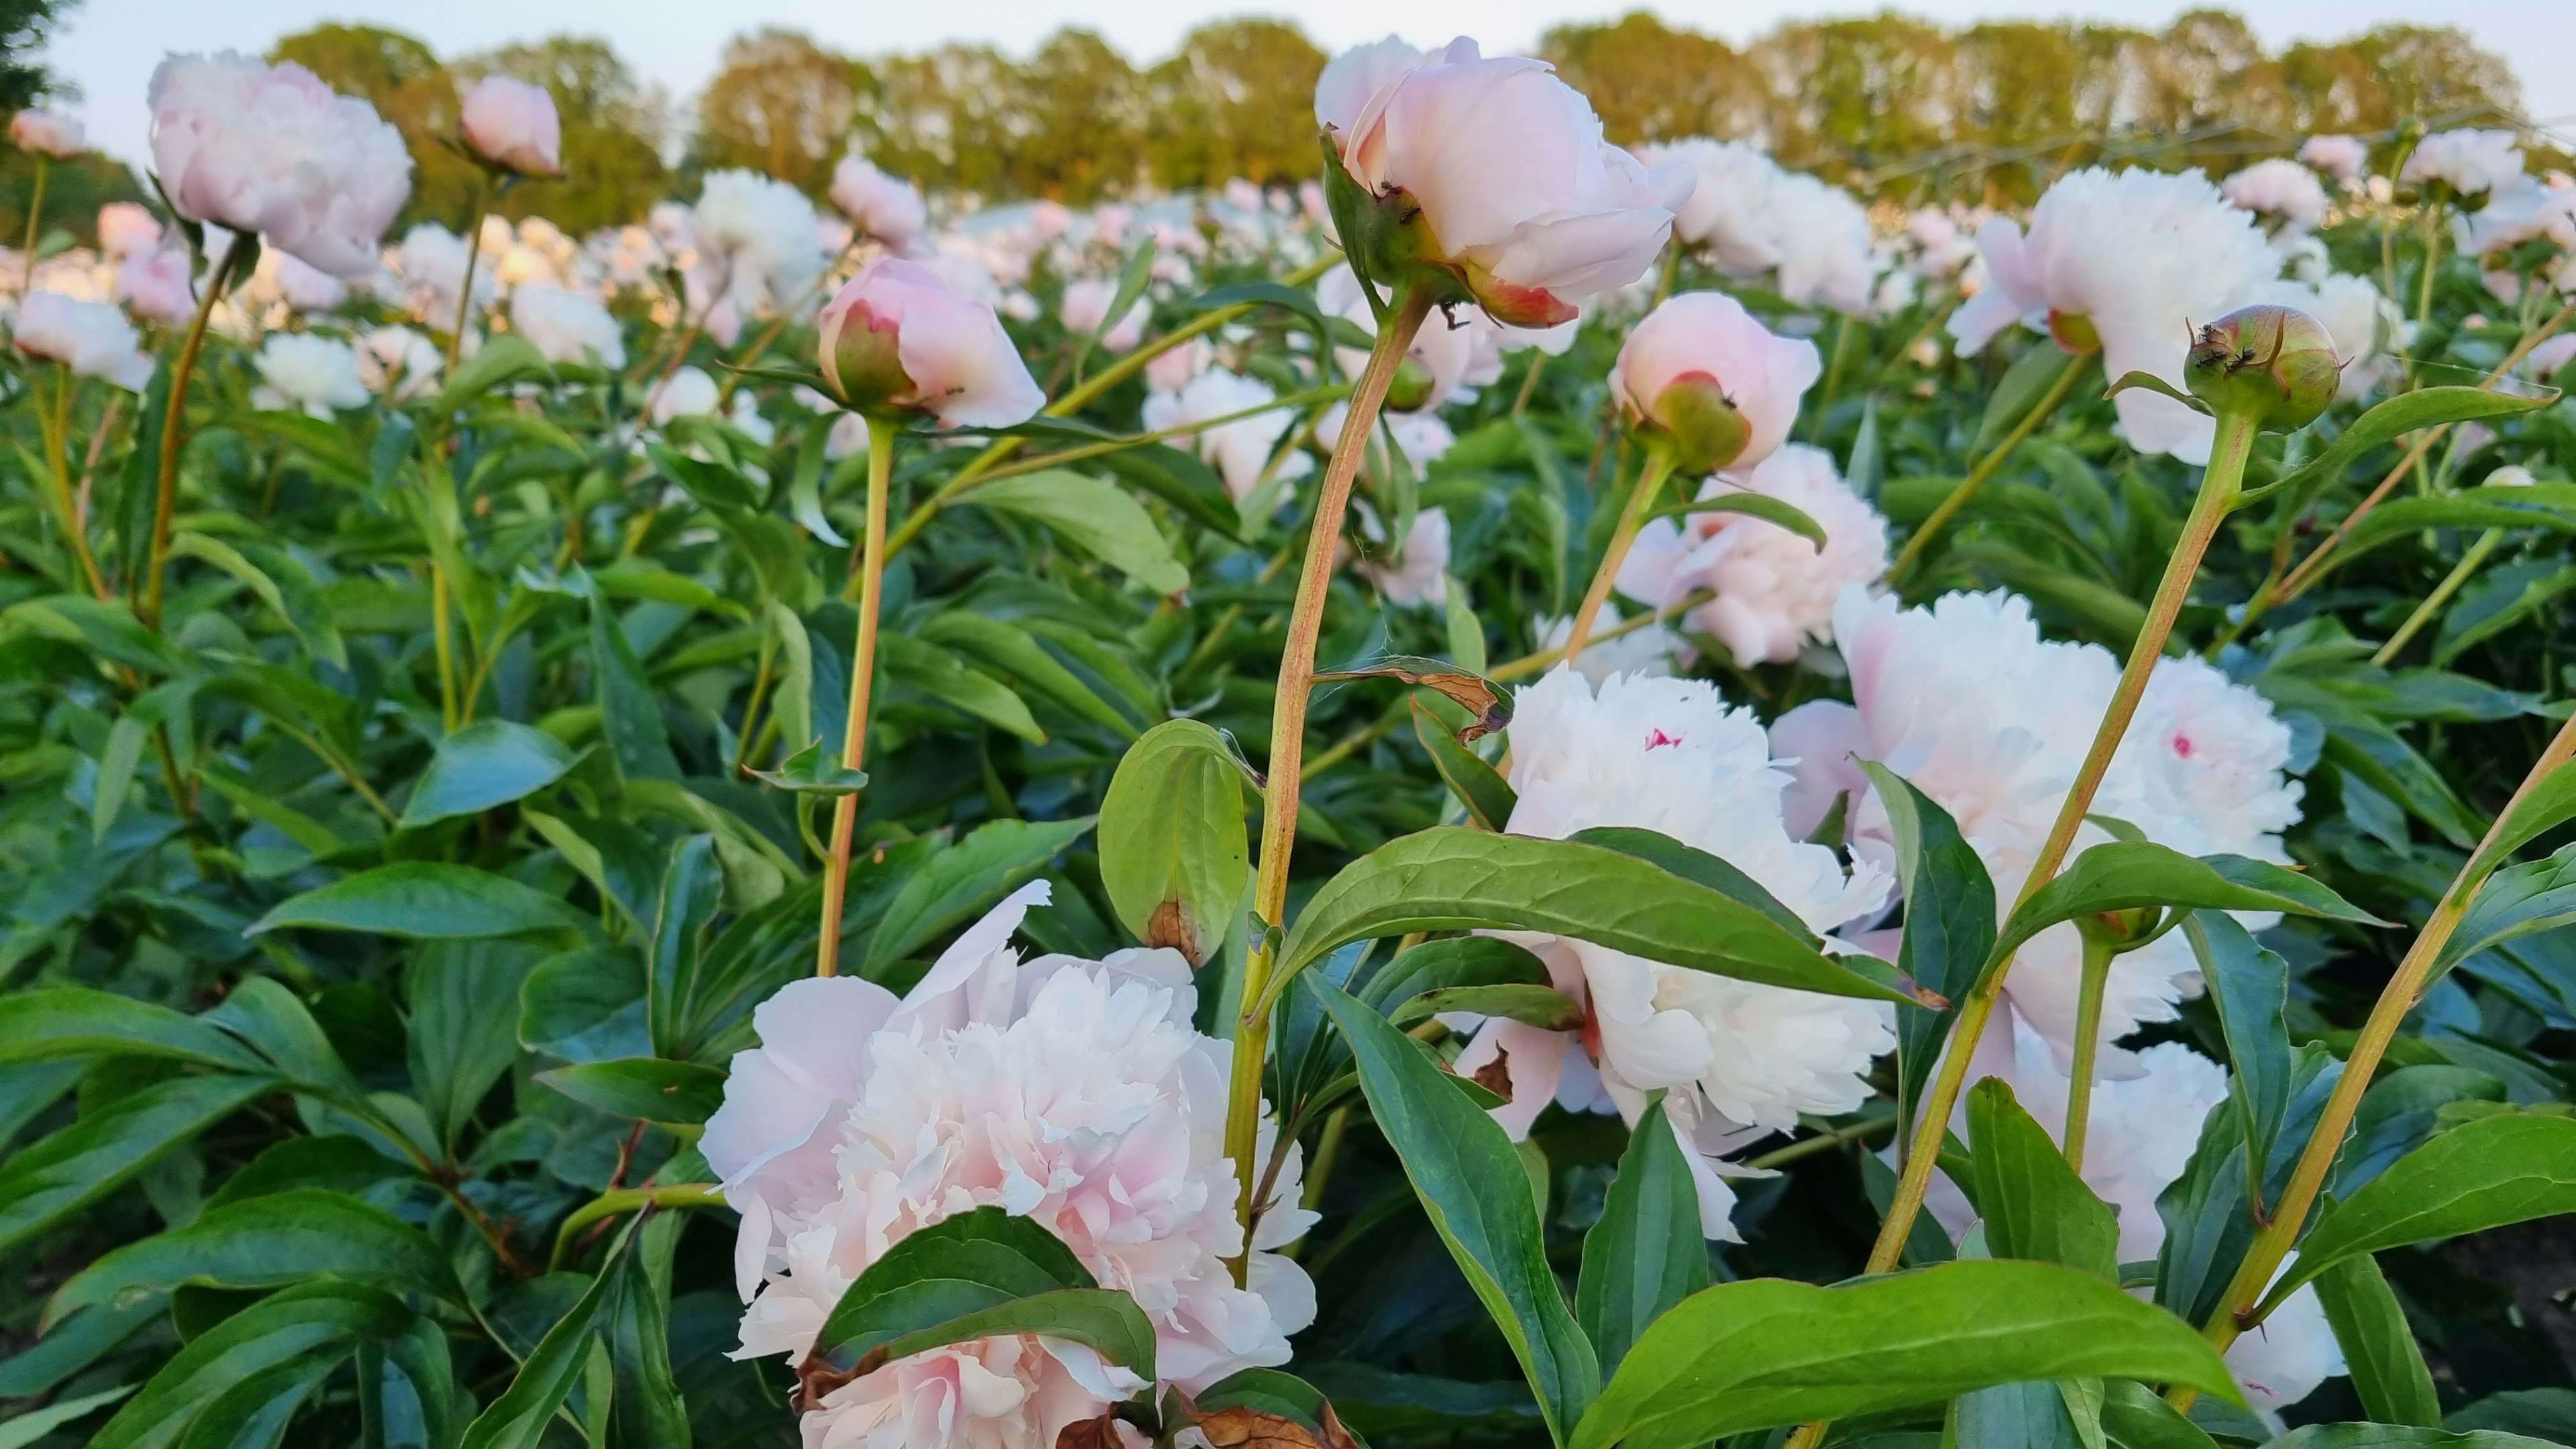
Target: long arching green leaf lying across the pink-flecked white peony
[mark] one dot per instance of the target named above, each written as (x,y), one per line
(1475,880)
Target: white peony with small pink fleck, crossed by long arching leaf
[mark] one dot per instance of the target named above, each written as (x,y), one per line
(1740,1058)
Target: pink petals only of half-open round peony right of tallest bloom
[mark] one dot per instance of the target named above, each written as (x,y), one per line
(1712,339)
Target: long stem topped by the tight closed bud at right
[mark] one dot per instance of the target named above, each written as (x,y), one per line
(2219,486)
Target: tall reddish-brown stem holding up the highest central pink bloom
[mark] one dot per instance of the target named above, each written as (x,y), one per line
(1289,744)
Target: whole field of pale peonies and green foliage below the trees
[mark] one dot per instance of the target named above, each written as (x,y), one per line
(1534,795)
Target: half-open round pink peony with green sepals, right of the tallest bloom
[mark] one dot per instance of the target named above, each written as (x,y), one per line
(1714,380)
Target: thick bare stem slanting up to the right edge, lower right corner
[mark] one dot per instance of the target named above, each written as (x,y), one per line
(2245,1301)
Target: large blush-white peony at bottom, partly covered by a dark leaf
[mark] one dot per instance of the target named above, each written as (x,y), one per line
(1065,1092)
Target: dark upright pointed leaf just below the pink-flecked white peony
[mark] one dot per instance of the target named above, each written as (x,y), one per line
(1647,1252)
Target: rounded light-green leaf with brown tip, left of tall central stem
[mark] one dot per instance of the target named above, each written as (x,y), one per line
(1173,850)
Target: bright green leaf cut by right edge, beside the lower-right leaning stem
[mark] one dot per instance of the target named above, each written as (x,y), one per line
(2482,1174)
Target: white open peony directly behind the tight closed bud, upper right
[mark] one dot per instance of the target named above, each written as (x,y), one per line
(2126,264)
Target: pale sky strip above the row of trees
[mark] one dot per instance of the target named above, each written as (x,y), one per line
(109,48)
